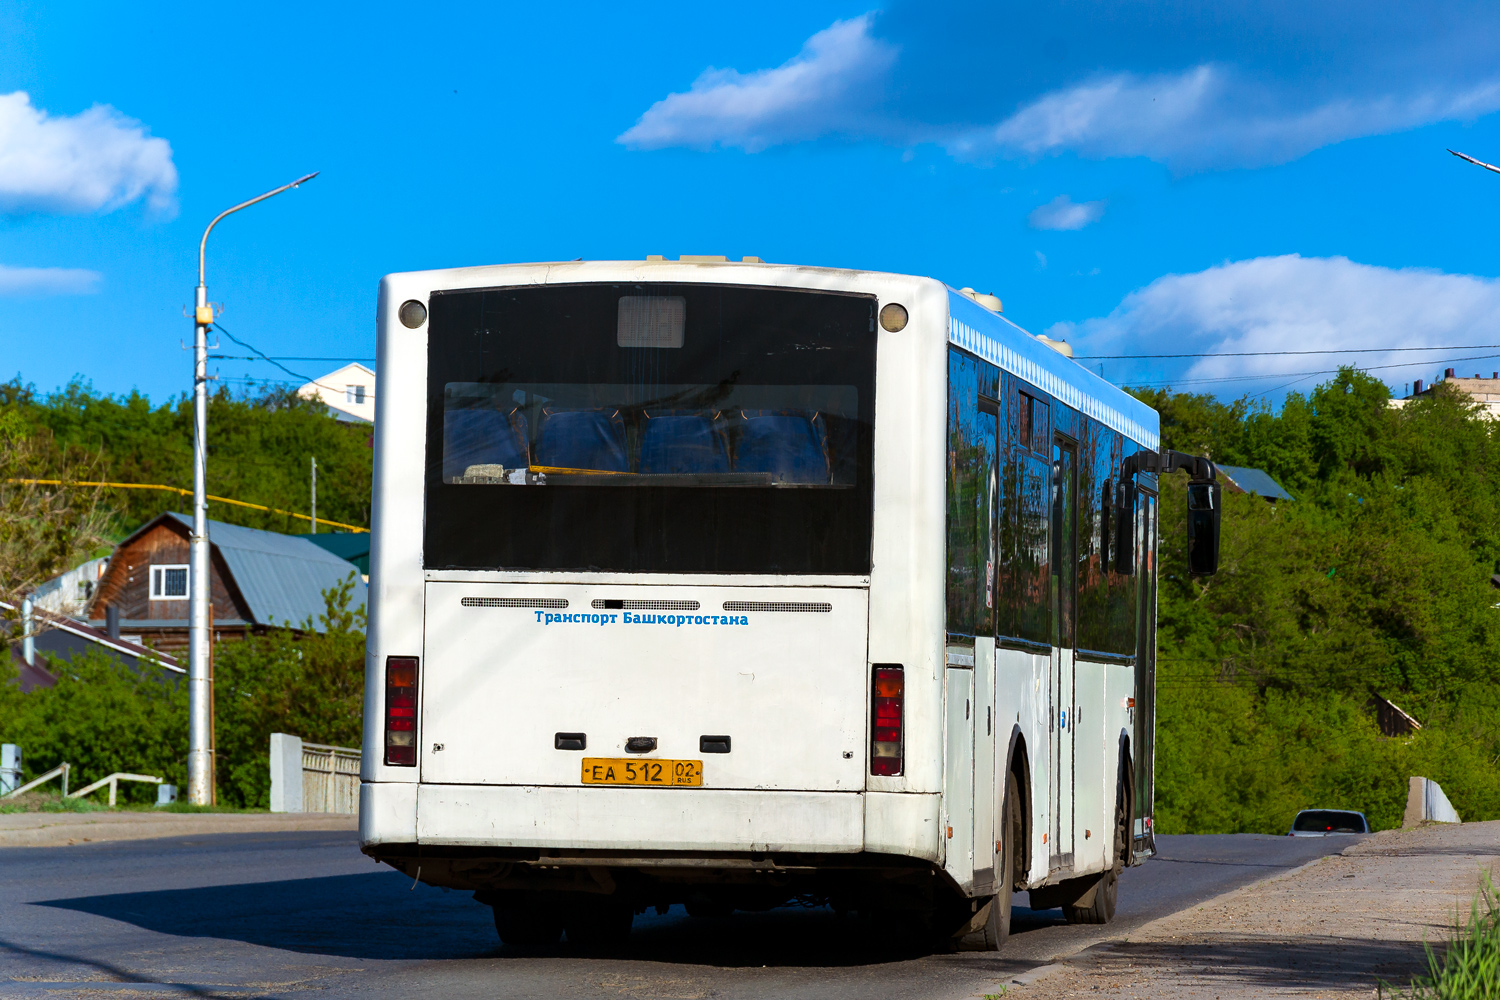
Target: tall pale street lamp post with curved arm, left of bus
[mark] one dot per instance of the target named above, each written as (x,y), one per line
(200,725)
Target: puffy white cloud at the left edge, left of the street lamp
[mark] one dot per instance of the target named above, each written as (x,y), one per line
(95,161)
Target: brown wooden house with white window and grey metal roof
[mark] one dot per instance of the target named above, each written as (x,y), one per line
(260,581)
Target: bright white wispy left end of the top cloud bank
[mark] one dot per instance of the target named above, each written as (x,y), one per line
(808,97)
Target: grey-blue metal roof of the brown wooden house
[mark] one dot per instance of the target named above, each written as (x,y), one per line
(283,578)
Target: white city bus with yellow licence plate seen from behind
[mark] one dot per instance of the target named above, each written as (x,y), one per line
(731,584)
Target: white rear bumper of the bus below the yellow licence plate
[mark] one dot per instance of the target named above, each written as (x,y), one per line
(611,819)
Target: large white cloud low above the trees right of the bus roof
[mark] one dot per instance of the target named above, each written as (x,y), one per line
(1298,304)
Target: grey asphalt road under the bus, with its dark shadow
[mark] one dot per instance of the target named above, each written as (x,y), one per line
(266,915)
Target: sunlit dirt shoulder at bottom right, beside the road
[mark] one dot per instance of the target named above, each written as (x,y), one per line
(1331,929)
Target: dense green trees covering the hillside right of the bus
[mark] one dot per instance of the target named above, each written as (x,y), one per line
(1375,581)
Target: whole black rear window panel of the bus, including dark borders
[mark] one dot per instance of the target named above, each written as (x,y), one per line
(662,428)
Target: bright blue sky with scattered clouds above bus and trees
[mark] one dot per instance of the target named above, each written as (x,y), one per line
(1138,178)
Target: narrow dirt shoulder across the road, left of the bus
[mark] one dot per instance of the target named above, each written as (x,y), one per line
(58,830)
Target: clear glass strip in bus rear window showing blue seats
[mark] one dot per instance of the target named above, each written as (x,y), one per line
(650,436)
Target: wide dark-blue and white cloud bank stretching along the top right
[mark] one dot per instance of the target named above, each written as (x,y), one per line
(1270,83)
